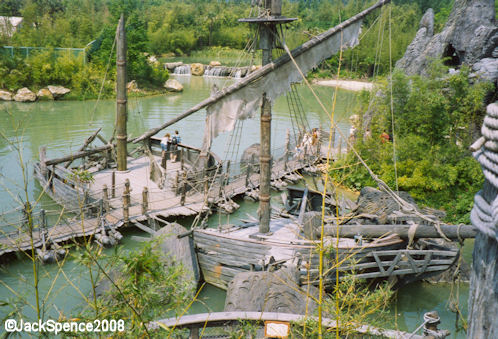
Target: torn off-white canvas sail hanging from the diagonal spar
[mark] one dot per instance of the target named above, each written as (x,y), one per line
(243,103)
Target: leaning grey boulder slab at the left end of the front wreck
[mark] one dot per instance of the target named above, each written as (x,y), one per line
(180,250)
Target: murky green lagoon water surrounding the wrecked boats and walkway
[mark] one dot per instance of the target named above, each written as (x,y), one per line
(63,126)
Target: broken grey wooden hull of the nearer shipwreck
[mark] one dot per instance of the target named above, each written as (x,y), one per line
(224,253)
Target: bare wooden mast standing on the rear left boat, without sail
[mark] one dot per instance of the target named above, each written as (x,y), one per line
(121,115)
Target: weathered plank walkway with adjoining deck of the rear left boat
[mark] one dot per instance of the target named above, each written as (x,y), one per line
(167,202)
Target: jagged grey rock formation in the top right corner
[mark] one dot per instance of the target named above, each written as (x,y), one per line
(469,37)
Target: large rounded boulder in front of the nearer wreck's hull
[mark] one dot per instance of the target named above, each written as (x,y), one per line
(277,291)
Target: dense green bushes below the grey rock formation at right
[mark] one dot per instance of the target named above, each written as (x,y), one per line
(435,121)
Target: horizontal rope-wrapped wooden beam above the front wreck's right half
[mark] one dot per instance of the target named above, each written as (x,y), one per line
(453,232)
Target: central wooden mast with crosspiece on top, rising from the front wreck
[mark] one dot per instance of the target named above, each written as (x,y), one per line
(267,26)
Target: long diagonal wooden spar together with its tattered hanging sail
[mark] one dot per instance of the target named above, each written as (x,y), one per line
(241,99)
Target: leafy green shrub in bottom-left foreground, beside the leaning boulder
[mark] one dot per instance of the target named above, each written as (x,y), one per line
(146,286)
